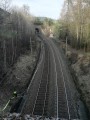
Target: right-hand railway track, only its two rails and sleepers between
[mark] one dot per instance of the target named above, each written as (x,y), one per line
(61,94)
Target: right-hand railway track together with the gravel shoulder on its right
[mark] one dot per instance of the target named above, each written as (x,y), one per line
(65,108)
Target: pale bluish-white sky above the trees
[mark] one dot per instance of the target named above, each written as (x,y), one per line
(45,8)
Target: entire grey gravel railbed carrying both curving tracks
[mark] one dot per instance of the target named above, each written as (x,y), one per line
(50,93)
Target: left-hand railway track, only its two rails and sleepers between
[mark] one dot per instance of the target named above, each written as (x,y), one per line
(41,101)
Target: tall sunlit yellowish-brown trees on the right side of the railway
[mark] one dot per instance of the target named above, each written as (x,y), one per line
(75,22)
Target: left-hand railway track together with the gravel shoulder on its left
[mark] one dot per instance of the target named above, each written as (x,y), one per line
(38,90)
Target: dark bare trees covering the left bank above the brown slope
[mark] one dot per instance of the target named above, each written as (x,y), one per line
(16,33)
